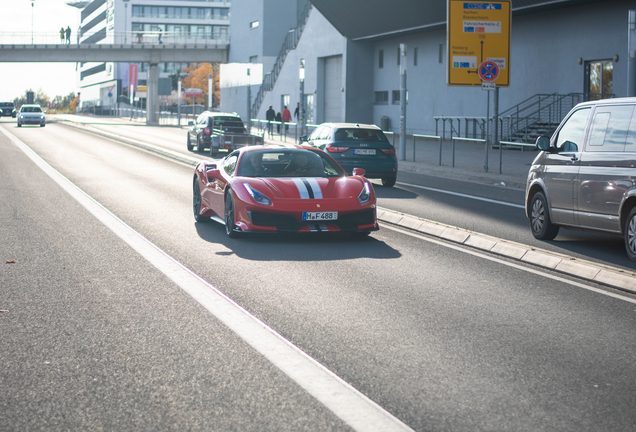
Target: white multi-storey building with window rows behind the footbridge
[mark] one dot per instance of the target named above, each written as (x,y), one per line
(142,22)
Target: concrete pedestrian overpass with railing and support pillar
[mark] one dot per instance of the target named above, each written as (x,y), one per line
(138,47)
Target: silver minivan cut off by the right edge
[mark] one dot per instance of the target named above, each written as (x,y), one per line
(585,175)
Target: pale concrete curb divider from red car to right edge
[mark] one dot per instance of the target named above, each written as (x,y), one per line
(582,269)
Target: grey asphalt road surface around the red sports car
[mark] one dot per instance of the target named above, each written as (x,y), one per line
(439,336)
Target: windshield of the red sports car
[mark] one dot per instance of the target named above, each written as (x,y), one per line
(288,163)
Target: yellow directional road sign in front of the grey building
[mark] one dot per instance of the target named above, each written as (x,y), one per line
(477,31)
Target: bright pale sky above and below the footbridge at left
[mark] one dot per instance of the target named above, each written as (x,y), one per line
(15,24)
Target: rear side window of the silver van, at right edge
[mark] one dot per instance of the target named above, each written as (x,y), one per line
(609,128)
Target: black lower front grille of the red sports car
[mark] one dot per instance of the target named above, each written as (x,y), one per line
(346,222)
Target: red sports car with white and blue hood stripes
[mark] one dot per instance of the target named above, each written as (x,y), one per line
(283,189)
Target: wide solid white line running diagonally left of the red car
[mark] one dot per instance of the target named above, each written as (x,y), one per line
(354,408)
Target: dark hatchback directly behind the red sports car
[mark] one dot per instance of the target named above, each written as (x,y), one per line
(355,145)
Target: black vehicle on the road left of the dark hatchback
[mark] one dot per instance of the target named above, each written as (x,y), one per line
(219,132)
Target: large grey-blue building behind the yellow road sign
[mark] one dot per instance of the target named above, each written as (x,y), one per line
(350,50)
